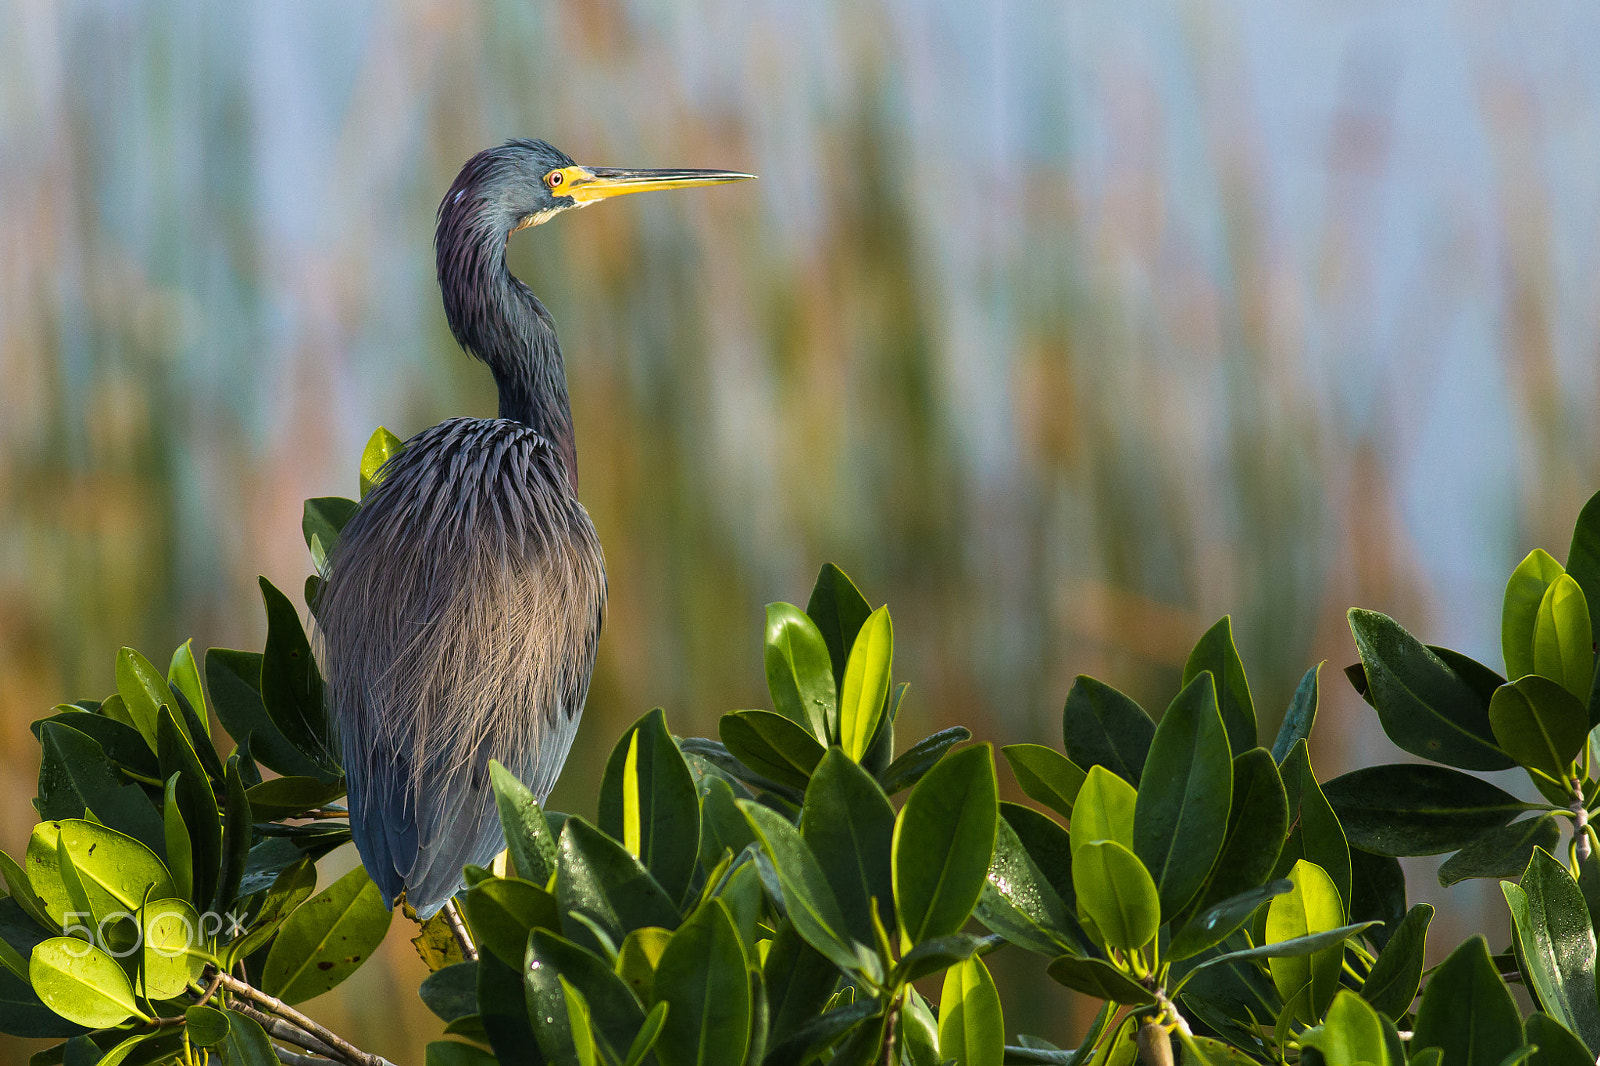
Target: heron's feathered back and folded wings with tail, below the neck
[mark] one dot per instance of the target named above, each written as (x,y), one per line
(460,622)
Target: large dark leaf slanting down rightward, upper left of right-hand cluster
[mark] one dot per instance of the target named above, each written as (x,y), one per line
(1425,707)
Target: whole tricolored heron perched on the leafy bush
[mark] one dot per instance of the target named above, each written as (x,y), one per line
(463,603)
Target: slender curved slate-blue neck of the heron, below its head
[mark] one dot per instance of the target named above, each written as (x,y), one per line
(502,323)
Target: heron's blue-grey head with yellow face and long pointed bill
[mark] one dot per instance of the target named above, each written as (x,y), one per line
(526,183)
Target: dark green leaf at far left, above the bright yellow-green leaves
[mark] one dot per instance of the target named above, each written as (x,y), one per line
(76,775)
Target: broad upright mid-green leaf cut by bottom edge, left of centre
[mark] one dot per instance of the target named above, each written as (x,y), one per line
(702,977)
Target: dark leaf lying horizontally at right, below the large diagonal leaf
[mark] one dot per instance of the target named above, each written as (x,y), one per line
(1404,809)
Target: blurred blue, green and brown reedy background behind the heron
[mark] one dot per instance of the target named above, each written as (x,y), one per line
(1063,327)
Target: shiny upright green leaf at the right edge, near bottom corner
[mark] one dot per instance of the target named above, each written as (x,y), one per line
(1558,944)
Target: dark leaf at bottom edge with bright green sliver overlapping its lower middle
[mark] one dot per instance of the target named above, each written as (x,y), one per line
(617,1014)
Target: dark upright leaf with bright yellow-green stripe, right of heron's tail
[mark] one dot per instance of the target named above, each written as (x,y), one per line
(668,804)
